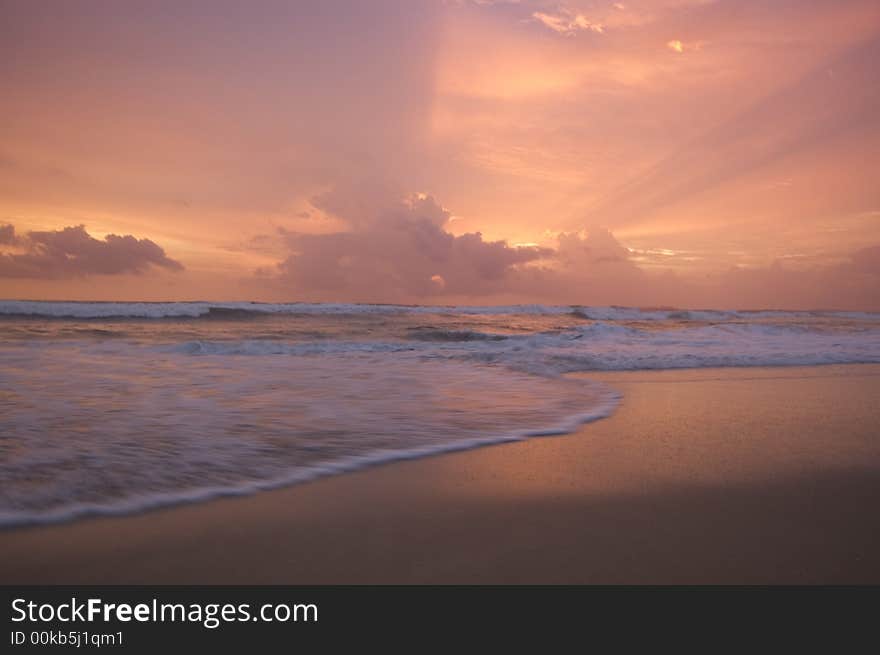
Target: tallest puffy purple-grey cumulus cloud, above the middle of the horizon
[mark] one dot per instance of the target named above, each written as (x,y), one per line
(401,252)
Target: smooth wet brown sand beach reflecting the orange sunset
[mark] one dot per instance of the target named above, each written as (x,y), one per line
(709,476)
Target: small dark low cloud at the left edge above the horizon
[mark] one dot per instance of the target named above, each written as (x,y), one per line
(72,252)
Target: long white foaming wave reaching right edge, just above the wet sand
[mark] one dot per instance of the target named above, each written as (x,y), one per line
(598,346)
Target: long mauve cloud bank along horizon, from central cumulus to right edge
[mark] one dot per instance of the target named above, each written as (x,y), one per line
(402,252)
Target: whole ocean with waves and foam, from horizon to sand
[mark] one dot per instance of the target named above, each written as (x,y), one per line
(112,408)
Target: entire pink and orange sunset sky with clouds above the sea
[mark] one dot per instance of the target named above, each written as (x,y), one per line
(689,153)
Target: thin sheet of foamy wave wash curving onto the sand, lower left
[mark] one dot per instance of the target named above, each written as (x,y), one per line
(230,428)
